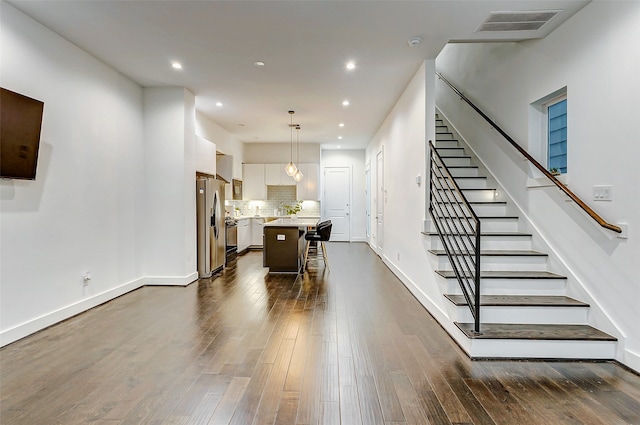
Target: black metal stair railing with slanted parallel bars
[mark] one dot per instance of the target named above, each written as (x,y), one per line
(458,228)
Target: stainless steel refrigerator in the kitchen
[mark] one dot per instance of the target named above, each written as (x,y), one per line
(211,226)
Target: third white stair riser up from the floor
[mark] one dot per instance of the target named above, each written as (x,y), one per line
(513,287)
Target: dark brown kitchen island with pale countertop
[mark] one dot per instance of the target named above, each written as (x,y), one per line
(283,250)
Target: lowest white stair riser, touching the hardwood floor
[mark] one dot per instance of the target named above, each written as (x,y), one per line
(538,349)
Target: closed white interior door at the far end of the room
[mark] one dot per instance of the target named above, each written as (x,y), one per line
(337,201)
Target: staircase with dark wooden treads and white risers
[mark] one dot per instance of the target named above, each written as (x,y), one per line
(525,312)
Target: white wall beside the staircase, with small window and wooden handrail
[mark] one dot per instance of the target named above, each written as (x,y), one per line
(594,55)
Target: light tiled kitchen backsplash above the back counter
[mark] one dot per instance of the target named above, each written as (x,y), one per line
(277,197)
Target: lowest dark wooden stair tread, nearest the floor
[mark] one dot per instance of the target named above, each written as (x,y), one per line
(535,332)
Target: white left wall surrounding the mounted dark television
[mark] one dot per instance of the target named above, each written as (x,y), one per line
(83,211)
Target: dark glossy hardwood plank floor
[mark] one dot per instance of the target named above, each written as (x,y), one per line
(350,346)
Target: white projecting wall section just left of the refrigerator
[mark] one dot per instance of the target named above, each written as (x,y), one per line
(169,164)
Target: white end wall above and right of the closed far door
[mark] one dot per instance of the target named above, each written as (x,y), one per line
(355,160)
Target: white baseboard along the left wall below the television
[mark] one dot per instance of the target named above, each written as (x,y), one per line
(32,326)
